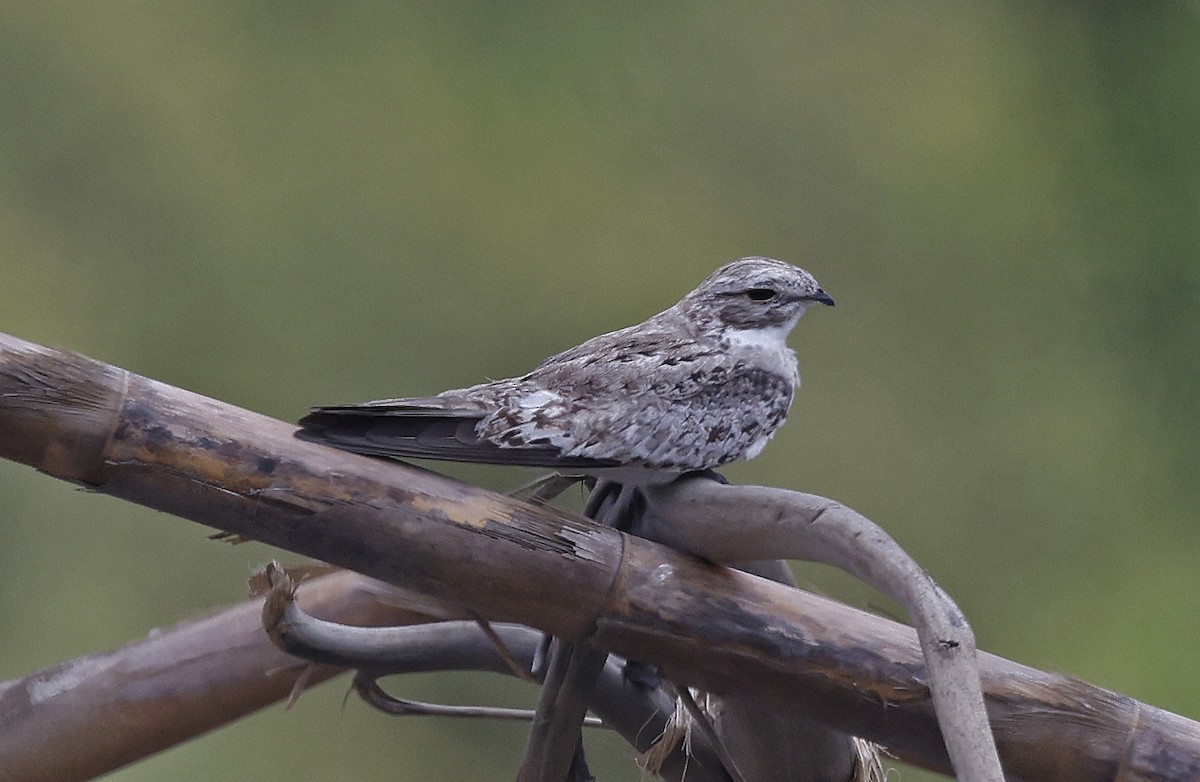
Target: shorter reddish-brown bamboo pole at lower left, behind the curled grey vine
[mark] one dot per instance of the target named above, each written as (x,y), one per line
(221,666)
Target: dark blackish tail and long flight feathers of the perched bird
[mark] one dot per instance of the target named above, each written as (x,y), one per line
(430,429)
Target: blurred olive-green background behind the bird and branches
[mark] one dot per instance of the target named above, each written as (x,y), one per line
(290,204)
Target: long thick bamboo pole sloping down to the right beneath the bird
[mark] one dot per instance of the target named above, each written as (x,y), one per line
(479,552)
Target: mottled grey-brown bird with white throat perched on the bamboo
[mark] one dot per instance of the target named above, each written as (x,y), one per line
(700,386)
